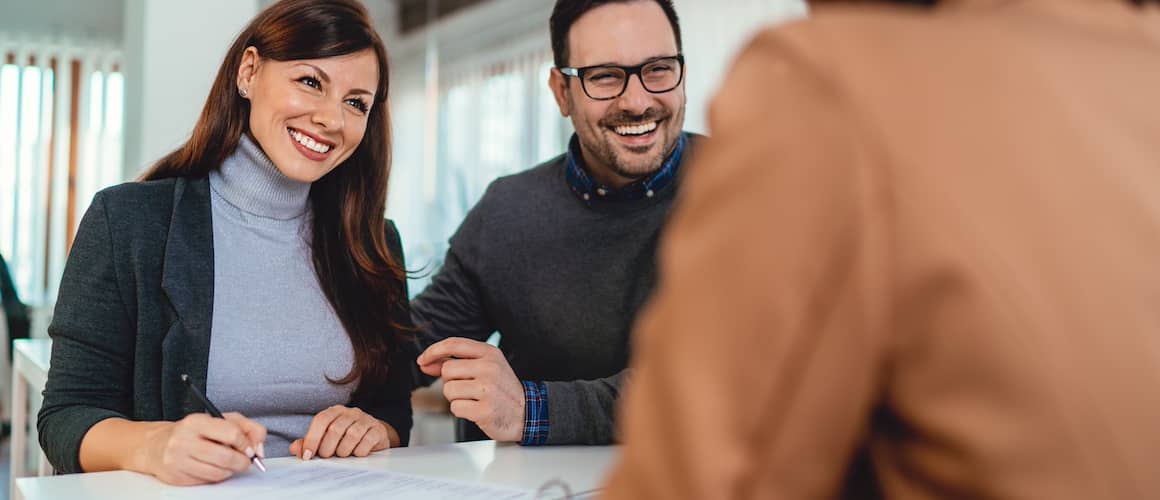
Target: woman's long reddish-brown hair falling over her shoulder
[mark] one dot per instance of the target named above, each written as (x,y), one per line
(356,270)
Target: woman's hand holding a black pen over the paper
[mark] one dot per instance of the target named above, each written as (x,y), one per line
(201,450)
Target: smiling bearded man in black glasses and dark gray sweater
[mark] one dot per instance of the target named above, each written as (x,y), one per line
(559,259)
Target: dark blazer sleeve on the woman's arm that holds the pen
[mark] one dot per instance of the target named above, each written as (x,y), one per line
(93,338)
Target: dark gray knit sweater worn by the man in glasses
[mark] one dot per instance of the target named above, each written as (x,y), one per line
(562,281)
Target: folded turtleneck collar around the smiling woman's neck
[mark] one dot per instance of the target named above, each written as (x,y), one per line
(250,182)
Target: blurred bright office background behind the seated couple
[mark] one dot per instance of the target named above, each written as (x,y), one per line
(92,92)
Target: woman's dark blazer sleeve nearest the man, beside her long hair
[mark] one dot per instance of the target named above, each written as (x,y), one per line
(395,407)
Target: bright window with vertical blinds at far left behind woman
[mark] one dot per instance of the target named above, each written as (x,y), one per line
(61,112)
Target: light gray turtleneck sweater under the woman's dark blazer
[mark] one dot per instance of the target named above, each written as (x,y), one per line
(275,338)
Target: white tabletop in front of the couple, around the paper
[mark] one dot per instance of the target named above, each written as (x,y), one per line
(482,462)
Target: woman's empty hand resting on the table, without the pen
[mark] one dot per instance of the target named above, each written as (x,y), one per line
(343,432)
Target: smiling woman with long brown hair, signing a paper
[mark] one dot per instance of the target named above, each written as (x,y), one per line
(256,259)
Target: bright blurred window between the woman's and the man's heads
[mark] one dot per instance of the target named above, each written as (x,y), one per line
(494,121)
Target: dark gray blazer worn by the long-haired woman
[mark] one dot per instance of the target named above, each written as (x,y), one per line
(135,313)
